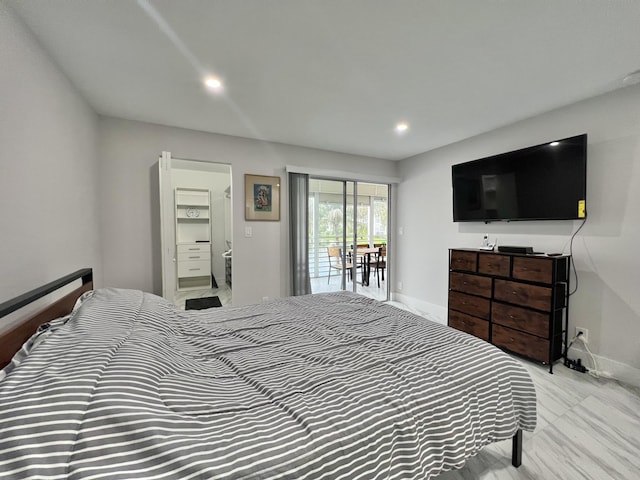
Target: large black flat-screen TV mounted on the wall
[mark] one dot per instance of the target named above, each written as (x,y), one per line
(543,182)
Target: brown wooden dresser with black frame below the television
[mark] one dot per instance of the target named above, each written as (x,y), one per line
(517,302)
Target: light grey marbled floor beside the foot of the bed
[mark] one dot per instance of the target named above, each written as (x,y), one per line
(588,428)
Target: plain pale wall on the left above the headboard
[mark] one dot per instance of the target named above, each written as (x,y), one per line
(48,210)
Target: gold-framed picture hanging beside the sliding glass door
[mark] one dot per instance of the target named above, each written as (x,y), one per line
(262,198)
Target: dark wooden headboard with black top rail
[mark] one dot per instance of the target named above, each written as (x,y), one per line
(12,340)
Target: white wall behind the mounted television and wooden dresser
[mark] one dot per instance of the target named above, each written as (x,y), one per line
(605,250)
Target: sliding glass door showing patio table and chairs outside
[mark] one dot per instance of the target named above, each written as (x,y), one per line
(348,236)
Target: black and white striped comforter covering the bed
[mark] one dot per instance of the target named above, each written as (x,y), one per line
(327,386)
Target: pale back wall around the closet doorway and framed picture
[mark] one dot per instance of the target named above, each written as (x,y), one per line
(129,214)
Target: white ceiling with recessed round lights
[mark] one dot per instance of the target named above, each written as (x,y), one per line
(339,74)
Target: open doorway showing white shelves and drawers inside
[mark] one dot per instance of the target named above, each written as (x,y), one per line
(196,232)
